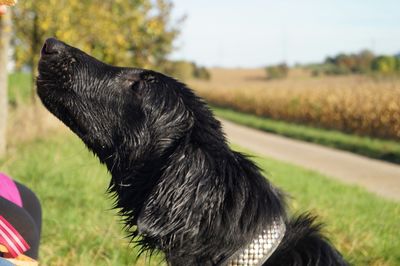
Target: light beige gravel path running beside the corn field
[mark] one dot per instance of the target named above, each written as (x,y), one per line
(376,176)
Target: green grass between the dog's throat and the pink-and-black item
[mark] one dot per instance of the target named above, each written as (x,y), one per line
(78,226)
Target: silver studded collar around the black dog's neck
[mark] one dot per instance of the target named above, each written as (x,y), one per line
(262,247)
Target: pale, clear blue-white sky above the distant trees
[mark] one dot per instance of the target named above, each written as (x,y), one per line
(255,33)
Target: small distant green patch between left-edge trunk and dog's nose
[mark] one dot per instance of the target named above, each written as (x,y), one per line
(19,88)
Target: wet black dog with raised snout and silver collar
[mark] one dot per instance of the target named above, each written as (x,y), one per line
(178,185)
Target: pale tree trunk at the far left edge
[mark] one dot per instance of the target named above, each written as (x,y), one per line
(5,34)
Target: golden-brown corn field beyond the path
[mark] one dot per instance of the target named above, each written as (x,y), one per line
(354,104)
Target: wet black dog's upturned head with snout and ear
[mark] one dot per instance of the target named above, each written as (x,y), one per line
(110,107)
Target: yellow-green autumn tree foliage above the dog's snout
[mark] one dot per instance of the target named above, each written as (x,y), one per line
(131,32)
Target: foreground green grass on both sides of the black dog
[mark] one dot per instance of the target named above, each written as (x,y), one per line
(79,228)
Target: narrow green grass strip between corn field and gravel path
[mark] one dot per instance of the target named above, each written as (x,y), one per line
(375,148)
